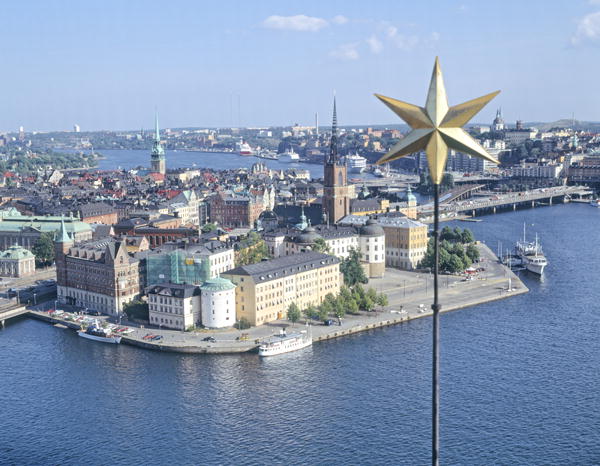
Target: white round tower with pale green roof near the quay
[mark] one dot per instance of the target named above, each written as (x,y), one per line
(218,303)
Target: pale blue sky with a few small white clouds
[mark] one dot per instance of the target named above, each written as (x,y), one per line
(107,65)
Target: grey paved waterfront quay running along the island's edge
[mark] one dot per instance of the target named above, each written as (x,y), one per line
(410,295)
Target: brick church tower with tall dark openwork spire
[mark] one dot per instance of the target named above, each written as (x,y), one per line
(336,199)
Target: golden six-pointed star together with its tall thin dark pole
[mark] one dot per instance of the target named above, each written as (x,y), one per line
(436,128)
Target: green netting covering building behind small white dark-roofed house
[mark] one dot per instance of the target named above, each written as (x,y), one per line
(177,266)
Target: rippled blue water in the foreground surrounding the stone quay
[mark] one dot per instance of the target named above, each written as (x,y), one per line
(519,383)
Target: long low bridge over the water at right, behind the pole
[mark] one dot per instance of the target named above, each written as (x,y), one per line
(494,202)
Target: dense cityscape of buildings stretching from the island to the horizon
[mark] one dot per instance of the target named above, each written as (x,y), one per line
(199,247)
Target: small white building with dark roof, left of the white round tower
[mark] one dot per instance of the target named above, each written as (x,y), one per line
(174,306)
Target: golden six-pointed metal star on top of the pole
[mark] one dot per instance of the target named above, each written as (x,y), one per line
(437,127)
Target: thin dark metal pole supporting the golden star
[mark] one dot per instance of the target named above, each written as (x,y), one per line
(435,409)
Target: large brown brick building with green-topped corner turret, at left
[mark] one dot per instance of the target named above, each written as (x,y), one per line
(98,275)
